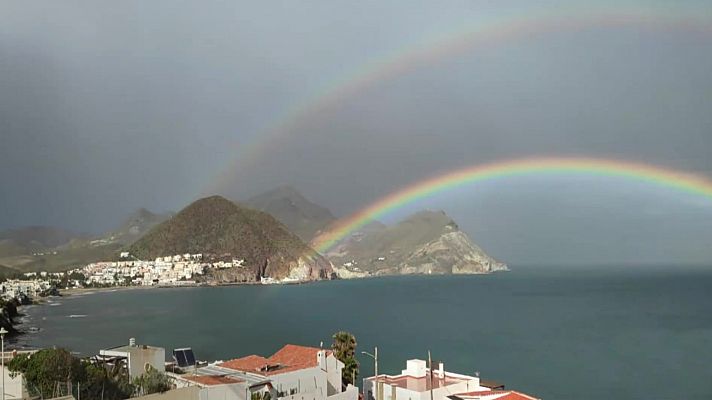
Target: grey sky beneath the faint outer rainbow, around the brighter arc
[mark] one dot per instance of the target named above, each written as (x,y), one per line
(598,93)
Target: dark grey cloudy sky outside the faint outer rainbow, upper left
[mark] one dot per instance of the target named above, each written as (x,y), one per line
(106,107)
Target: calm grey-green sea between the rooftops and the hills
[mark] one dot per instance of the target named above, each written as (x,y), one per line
(556,333)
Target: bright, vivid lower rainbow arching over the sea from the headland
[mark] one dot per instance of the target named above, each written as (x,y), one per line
(678,180)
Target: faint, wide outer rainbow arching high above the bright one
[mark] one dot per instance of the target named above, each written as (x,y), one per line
(442,45)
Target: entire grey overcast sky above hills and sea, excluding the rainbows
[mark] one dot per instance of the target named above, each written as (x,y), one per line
(110,106)
